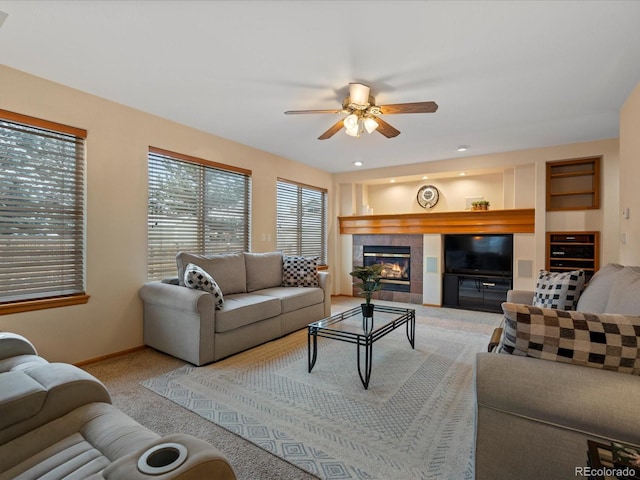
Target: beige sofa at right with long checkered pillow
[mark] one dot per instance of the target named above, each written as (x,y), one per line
(538,406)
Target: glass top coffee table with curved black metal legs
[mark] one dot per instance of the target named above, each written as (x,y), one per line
(351,327)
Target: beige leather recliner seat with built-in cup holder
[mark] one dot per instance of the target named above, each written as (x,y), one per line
(57,422)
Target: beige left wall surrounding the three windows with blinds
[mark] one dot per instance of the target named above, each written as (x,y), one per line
(117,143)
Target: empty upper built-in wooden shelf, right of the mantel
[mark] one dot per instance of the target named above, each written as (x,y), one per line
(573,184)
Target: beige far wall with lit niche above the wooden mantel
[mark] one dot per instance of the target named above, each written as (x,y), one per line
(520,185)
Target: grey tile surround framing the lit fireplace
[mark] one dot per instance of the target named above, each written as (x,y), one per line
(413,241)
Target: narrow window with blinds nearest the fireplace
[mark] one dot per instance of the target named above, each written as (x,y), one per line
(302,220)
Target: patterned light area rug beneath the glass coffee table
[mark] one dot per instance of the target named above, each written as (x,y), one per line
(416,420)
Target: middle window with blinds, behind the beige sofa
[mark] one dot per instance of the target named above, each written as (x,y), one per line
(196,206)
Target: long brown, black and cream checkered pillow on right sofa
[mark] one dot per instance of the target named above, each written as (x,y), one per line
(606,341)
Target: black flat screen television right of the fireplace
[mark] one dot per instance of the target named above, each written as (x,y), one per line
(490,254)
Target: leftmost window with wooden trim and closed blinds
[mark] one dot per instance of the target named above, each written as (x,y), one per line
(42,191)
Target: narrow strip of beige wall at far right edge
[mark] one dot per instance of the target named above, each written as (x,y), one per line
(629,175)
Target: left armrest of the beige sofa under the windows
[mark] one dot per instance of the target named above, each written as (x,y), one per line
(179,321)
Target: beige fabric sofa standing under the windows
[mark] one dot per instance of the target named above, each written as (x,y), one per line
(185,323)
